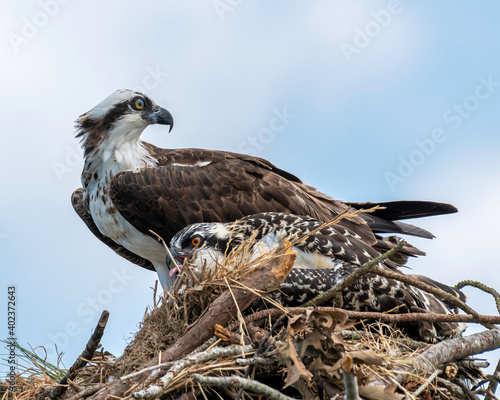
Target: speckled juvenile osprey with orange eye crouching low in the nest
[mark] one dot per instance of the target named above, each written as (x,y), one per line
(325,255)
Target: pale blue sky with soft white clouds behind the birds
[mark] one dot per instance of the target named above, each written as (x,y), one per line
(388,101)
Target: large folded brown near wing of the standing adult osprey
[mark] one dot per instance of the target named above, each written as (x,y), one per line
(180,192)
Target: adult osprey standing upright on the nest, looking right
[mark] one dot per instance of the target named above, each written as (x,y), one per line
(131,187)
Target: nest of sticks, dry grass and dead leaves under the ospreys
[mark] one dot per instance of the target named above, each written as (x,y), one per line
(276,352)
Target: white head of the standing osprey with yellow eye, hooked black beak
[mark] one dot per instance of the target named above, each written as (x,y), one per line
(121,117)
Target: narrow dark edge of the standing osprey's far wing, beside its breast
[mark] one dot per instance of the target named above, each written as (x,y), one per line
(79,206)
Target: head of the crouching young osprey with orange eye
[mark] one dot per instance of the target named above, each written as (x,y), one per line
(202,245)
